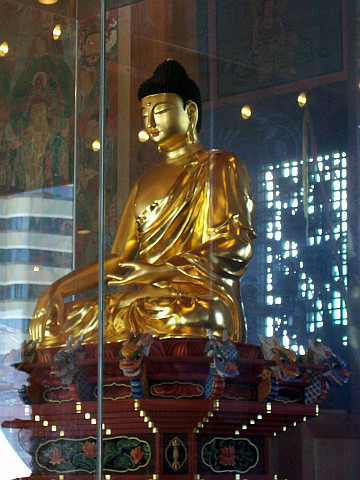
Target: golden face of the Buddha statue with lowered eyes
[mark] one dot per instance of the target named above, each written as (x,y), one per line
(165,119)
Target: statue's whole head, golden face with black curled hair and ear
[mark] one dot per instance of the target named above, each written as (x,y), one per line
(171,106)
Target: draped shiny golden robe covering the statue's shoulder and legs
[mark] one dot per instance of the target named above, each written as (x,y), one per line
(204,227)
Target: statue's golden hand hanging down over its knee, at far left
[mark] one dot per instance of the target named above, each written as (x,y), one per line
(49,311)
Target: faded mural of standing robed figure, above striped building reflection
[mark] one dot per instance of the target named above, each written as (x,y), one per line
(37,101)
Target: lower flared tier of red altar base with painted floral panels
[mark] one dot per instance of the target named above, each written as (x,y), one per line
(166,439)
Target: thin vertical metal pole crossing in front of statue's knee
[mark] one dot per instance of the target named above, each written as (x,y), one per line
(101,244)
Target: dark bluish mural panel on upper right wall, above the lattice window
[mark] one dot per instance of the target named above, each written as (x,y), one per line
(276,47)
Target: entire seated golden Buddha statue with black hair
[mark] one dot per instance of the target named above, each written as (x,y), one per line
(184,238)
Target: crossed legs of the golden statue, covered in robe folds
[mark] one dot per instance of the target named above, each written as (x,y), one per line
(165,315)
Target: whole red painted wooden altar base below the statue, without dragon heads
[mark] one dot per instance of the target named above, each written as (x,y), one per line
(175,433)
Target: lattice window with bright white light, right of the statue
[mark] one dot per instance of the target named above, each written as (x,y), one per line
(301,253)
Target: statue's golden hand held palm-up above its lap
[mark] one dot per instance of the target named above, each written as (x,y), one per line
(143,273)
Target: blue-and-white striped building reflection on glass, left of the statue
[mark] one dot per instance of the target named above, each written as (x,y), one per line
(35,249)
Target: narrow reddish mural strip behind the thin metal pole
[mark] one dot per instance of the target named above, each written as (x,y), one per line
(88,132)
